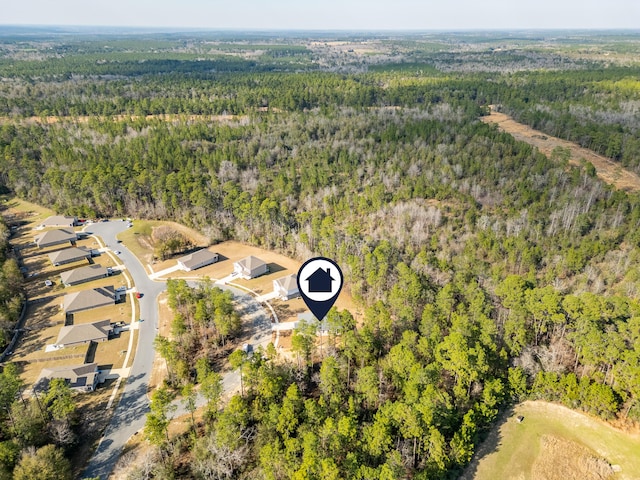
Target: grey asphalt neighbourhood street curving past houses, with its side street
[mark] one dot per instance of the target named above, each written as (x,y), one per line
(129,416)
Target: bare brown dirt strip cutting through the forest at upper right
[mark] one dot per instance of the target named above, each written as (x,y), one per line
(606,169)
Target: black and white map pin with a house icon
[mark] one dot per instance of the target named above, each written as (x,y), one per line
(319,283)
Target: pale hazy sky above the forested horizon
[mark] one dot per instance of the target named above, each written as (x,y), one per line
(328,14)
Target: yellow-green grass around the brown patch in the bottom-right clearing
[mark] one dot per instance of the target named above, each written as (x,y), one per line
(512,450)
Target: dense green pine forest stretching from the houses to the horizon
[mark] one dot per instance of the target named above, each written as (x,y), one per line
(489,273)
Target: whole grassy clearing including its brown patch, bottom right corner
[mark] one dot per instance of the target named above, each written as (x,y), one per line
(555,443)
